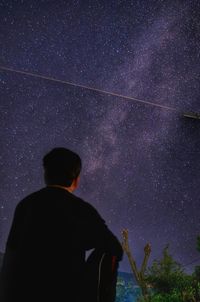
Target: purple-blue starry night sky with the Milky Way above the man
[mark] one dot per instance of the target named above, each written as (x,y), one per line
(141,163)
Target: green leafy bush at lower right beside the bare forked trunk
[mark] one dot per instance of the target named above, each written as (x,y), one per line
(168,281)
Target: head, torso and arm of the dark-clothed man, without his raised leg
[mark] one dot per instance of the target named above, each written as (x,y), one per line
(50,233)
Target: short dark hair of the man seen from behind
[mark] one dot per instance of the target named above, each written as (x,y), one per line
(61,166)
